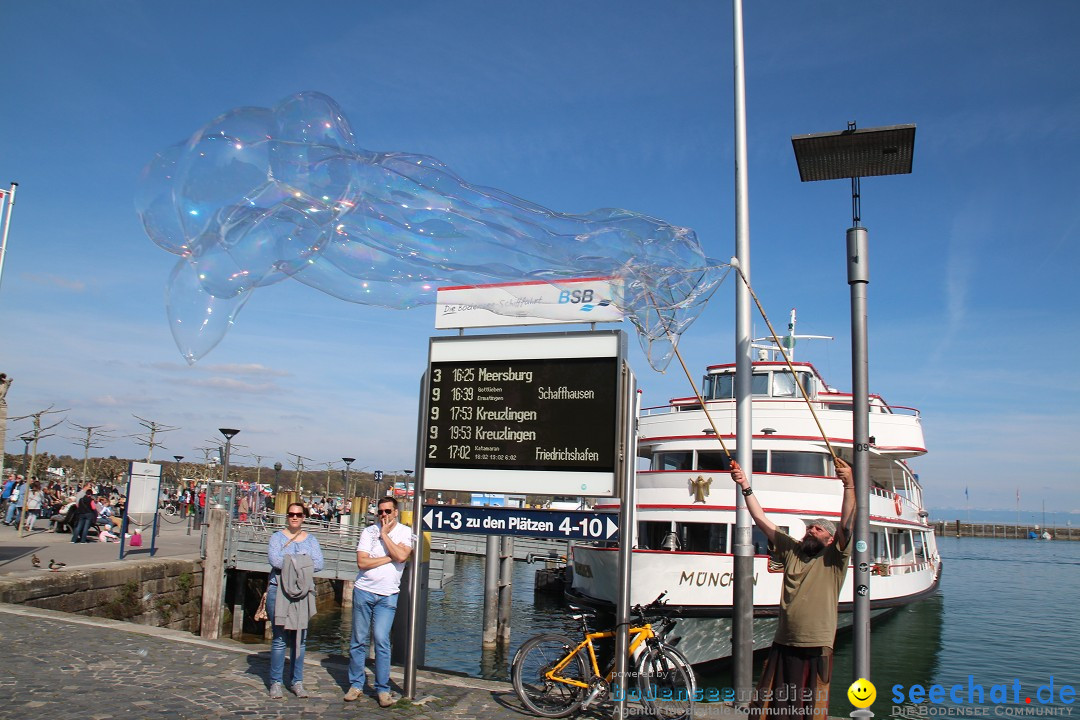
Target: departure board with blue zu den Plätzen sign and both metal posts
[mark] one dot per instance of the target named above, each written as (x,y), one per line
(542,414)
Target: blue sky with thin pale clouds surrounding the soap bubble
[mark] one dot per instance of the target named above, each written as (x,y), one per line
(573,106)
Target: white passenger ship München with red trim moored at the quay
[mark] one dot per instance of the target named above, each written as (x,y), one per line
(686,504)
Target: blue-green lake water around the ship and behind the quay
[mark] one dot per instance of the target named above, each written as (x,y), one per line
(1007,612)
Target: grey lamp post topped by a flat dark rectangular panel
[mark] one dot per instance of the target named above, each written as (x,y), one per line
(857,154)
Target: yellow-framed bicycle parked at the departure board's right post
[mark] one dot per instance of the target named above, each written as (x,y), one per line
(556,677)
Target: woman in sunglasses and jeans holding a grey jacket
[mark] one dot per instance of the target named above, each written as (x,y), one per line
(290,601)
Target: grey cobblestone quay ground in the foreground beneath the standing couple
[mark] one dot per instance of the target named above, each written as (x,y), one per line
(52,668)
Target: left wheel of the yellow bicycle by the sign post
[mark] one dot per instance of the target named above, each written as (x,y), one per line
(549,699)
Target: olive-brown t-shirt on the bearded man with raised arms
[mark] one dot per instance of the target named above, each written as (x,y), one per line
(812,593)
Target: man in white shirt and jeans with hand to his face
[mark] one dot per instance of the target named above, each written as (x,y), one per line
(382,554)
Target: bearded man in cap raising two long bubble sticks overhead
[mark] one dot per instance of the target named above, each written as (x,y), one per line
(798,672)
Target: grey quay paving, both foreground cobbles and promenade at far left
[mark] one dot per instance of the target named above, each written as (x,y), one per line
(60,665)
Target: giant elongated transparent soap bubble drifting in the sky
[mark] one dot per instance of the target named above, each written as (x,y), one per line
(263,195)
